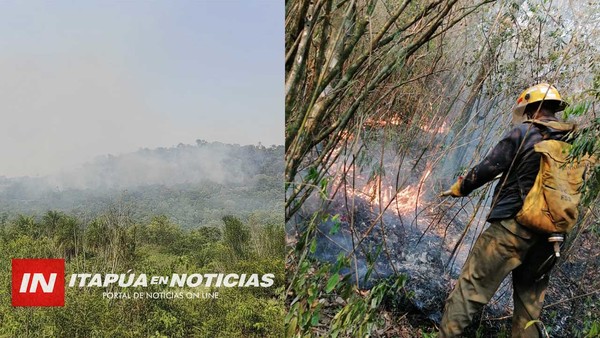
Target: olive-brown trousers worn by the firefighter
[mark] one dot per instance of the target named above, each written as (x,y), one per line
(504,247)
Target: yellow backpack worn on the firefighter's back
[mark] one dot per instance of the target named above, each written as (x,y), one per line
(551,204)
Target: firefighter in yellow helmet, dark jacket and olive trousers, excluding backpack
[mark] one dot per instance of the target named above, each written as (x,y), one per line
(506,246)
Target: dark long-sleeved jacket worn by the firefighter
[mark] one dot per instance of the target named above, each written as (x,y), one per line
(514,158)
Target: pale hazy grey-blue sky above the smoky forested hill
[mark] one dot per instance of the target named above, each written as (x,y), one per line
(83,79)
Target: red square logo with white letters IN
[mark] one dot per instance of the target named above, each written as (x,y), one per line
(38,282)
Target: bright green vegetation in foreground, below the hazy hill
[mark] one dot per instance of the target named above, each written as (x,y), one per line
(117,242)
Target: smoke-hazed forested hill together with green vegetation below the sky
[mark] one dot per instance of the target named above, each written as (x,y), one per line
(203,208)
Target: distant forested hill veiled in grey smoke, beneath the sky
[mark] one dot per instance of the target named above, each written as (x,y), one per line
(194,185)
